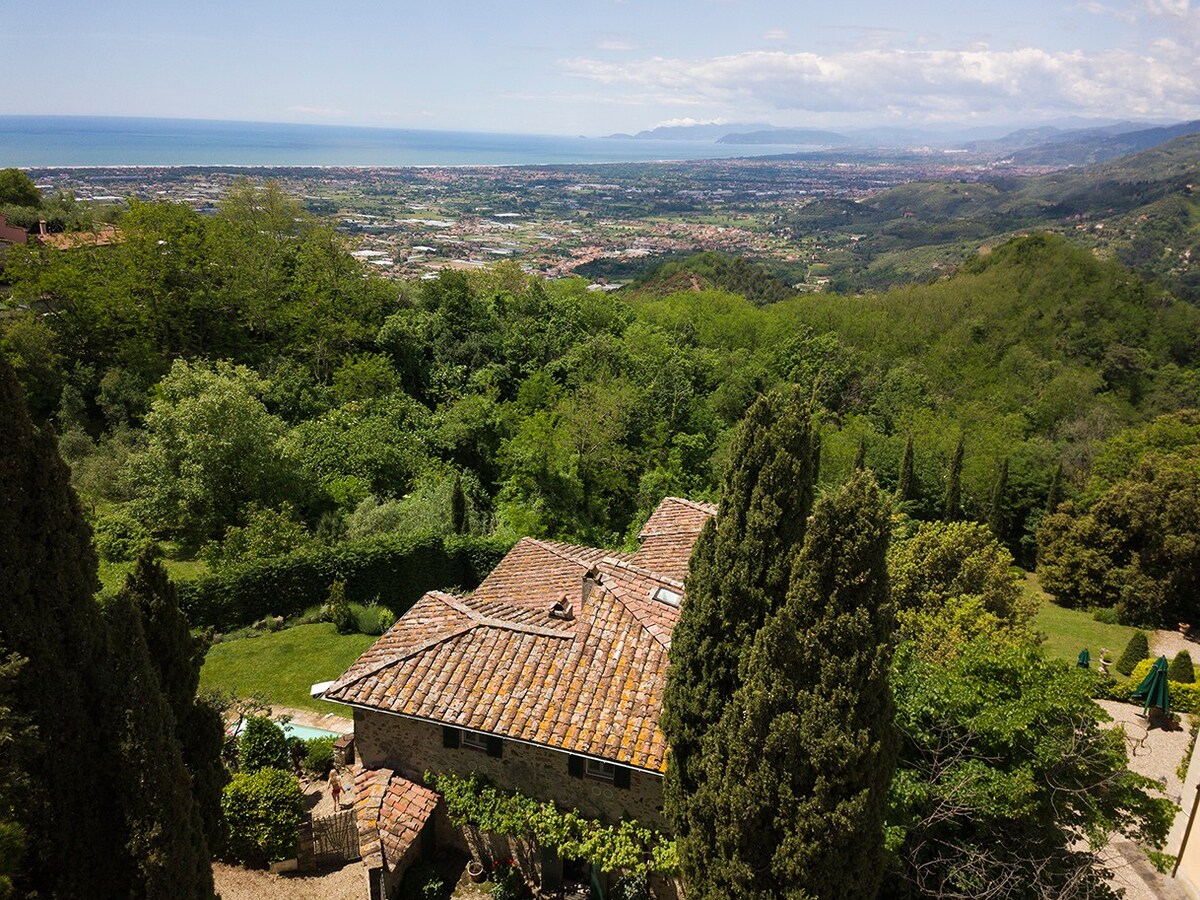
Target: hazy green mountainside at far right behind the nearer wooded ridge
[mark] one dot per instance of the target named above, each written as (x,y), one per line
(1142,209)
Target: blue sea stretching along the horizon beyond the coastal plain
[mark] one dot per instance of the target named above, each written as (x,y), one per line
(37,141)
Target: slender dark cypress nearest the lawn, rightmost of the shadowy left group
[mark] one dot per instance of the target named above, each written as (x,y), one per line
(177,657)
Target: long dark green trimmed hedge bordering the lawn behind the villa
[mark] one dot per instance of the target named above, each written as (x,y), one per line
(397,569)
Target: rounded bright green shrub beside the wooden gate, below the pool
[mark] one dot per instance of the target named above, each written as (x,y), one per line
(262,813)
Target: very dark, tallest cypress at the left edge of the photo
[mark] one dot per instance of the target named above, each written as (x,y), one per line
(75,844)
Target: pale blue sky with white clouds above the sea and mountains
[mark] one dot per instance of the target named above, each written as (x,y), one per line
(601,67)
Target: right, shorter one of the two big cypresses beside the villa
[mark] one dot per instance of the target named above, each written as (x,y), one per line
(799,767)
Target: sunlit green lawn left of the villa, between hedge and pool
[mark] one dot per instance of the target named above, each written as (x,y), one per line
(281,667)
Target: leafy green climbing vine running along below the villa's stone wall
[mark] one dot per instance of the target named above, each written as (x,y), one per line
(627,848)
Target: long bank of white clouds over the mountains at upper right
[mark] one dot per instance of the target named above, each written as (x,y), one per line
(925,85)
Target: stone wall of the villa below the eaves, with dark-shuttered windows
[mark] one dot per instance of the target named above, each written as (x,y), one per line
(413,748)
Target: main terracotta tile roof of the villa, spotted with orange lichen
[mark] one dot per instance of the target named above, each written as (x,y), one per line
(500,663)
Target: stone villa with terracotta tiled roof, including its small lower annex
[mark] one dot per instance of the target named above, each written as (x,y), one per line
(548,680)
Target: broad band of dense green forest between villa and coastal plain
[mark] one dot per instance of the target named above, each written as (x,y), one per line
(238,387)
